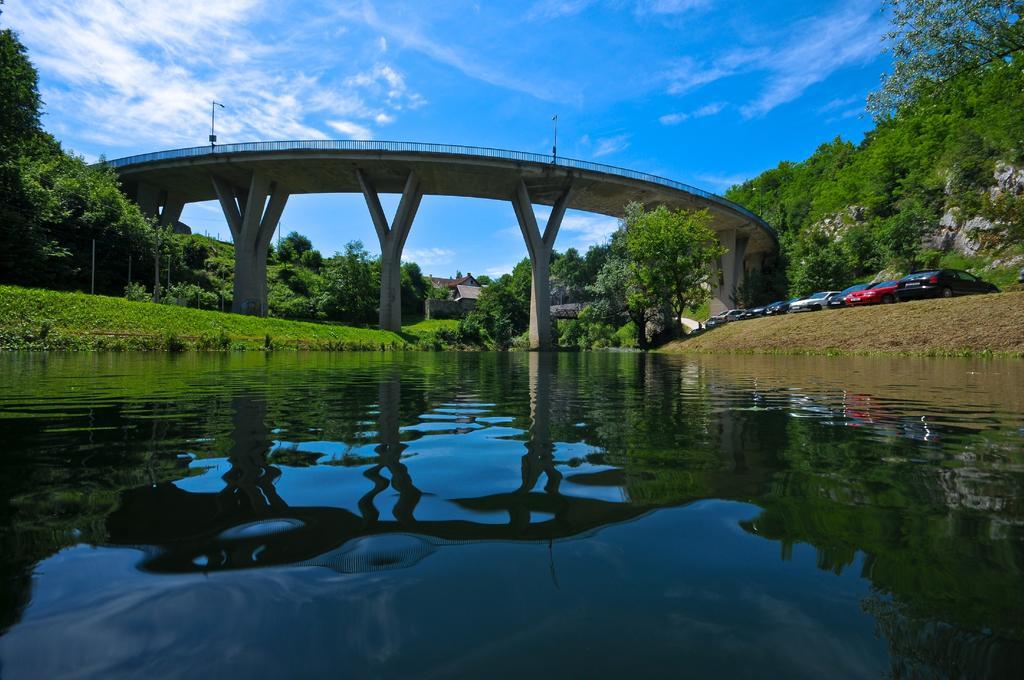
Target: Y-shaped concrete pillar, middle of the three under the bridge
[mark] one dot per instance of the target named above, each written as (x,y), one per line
(393,241)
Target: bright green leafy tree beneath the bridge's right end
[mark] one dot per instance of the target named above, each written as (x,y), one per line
(671,256)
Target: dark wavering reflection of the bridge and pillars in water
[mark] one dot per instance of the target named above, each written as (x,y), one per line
(249,525)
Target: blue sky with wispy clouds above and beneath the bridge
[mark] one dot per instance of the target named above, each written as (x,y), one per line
(709,93)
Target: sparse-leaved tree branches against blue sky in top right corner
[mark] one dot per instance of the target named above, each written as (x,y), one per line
(934,41)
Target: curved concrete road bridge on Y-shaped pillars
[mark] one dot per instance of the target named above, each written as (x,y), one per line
(252,182)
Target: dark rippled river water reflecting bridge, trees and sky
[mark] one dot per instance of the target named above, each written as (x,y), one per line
(503,516)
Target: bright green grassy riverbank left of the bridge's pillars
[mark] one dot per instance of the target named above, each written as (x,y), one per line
(33,319)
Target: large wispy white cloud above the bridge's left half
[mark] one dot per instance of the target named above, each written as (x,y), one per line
(137,73)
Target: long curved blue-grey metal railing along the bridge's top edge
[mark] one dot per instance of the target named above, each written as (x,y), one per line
(426,148)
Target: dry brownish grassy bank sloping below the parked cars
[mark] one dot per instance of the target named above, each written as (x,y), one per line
(968,326)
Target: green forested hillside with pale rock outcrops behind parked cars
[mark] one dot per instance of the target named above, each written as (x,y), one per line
(940,183)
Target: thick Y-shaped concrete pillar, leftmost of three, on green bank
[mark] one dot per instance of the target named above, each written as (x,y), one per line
(252,216)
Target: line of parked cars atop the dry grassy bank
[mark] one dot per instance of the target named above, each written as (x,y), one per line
(926,284)
